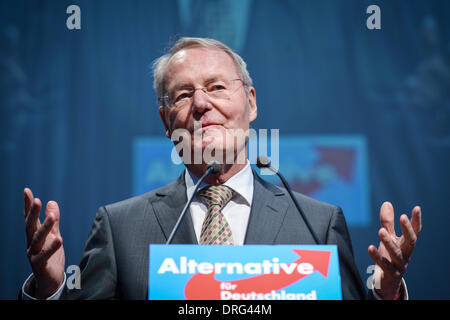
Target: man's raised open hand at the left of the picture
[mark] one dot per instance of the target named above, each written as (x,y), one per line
(44,246)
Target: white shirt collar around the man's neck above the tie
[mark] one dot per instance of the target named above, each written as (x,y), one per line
(241,182)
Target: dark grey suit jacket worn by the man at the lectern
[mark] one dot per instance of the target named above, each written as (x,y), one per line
(114,263)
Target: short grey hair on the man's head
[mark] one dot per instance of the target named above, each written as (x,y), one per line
(160,65)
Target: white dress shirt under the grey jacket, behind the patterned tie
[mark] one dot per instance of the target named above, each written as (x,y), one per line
(237,210)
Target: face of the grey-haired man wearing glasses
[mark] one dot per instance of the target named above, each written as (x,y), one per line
(214,118)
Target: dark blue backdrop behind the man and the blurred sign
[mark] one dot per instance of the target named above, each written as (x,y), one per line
(73,101)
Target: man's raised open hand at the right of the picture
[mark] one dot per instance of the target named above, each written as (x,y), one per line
(394,253)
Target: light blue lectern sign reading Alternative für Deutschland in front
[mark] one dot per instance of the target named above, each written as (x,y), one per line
(250,272)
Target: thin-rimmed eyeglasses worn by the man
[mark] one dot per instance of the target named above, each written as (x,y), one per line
(218,89)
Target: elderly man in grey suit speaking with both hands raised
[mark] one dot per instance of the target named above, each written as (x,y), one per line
(205,91)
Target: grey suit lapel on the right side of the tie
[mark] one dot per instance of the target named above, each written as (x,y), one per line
(267,213)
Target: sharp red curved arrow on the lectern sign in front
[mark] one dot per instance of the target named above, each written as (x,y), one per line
(206,287)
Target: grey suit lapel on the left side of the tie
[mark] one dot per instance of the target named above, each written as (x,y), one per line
(168,204)
